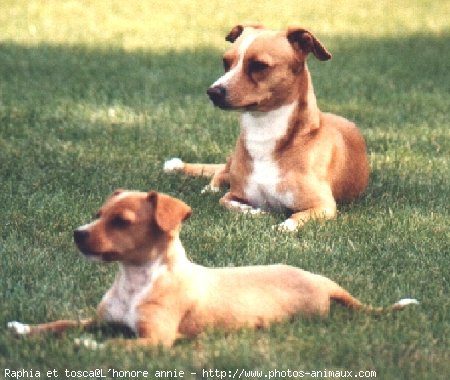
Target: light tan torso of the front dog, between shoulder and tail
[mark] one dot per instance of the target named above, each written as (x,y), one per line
(255,296)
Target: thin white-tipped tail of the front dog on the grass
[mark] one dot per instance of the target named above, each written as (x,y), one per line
(343,297)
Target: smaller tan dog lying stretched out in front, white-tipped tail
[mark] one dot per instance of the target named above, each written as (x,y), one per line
(162,296)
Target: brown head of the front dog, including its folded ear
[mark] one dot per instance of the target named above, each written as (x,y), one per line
(132,226)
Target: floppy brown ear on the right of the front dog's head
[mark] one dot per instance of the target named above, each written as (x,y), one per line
(169,212)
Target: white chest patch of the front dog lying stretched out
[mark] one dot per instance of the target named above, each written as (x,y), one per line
(132,284)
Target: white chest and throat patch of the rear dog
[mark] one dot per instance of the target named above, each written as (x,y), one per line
(261,132)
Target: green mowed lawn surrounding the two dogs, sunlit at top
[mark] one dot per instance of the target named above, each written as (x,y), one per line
(96,95)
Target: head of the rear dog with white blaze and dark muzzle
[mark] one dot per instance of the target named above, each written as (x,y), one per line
(263,68)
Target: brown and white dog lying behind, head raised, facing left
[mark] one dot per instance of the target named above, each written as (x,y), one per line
(289,156)
